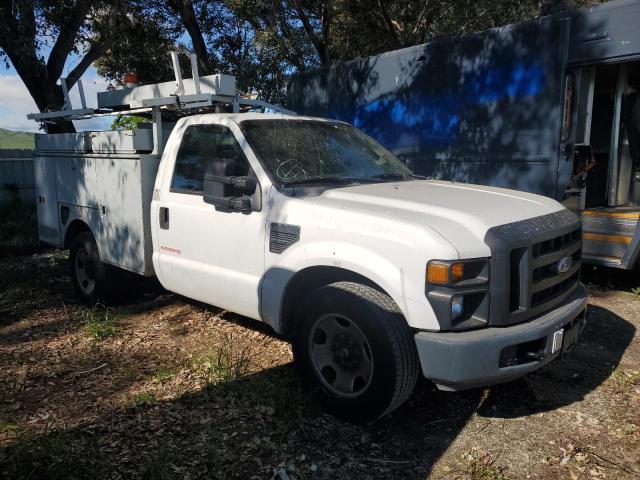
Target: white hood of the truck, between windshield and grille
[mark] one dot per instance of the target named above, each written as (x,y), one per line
(461,213)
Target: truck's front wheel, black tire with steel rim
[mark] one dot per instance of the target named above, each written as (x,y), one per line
(333,321)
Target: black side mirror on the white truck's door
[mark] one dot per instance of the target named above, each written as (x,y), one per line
(219,191)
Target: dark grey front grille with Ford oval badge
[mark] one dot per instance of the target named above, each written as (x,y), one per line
(535,266)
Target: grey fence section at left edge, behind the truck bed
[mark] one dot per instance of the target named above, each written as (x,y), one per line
(16,176)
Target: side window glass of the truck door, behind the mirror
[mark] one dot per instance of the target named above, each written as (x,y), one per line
(206,148)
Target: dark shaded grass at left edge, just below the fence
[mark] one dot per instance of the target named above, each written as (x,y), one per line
(18,228)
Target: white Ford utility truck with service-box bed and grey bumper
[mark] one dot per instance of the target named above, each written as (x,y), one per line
(309,225)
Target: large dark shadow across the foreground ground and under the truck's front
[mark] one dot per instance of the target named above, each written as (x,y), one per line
(265,421)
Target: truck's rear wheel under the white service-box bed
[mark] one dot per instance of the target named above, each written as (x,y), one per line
(88,274)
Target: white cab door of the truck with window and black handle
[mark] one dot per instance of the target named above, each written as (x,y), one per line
(211,255)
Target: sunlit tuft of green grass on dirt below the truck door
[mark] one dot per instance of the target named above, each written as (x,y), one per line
(228,361)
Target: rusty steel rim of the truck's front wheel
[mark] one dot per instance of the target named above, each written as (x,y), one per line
(341,355)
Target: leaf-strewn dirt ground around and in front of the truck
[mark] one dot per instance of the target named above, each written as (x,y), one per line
(162,387)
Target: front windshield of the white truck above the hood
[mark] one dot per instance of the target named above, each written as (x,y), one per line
(309,151)
